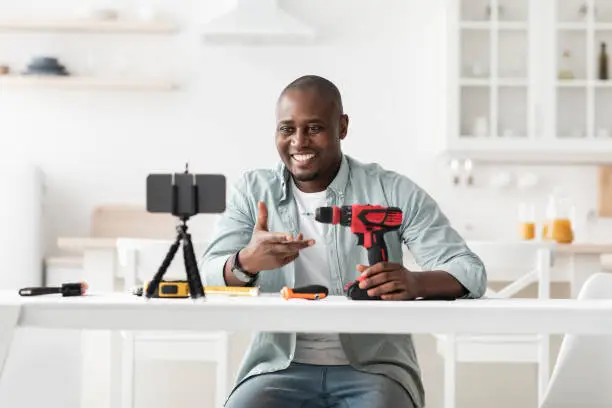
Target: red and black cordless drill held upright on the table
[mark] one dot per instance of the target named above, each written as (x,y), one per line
(369,223)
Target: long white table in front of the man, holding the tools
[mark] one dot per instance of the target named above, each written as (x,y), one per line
(113,311)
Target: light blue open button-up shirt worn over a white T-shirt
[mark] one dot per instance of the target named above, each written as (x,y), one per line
(426,232)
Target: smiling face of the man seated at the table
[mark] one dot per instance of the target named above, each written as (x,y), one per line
(308,133)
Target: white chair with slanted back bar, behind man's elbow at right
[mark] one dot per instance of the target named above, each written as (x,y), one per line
(521,264)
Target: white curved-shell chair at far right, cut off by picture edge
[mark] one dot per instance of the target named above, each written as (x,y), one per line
(583,372)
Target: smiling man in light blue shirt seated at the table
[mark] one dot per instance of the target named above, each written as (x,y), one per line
(265,239)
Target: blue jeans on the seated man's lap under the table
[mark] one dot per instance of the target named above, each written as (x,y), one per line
(314,386)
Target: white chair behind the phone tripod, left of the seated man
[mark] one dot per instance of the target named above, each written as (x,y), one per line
(139,259)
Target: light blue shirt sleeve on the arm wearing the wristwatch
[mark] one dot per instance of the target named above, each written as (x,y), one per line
(232,232)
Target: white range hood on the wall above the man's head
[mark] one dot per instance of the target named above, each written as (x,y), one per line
(256,21)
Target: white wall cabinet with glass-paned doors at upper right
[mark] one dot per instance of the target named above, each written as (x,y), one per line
(508,99)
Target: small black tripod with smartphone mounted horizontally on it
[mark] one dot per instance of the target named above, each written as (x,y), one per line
(184,195)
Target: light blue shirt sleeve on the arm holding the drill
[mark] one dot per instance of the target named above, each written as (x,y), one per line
(434,243)
